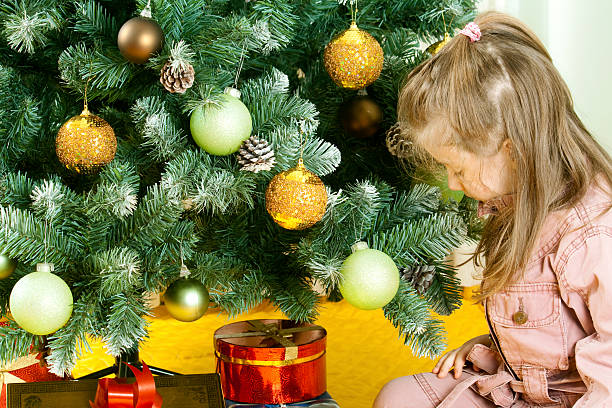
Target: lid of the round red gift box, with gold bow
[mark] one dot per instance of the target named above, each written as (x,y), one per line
(270,340)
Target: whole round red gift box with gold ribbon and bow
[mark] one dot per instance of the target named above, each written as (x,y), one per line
(259,370)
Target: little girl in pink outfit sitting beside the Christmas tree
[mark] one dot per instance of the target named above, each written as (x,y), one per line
(492,108)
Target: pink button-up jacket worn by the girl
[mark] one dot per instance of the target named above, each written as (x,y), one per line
(554,327)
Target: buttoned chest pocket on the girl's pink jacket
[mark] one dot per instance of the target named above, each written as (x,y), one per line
(527,320)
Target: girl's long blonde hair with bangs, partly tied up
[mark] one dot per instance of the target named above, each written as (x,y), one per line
(505,86)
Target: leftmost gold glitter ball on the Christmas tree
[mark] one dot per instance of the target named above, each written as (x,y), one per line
(85,143)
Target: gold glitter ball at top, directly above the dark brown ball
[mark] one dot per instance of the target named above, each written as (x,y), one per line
(354,58)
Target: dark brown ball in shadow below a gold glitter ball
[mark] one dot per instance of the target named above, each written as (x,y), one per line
(361,117)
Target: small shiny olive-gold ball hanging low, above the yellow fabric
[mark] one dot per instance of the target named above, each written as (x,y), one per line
(186,298)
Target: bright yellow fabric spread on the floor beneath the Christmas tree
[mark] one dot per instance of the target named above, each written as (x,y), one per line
(363,349)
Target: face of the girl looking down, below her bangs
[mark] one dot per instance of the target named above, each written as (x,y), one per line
(481,178)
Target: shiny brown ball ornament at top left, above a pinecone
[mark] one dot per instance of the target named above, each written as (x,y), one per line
(140,37)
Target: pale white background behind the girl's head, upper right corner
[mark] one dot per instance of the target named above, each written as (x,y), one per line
(577,35)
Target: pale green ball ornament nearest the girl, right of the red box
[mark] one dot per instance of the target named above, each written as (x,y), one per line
(370,278)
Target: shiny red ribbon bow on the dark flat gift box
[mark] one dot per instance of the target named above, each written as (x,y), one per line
(116,393)
